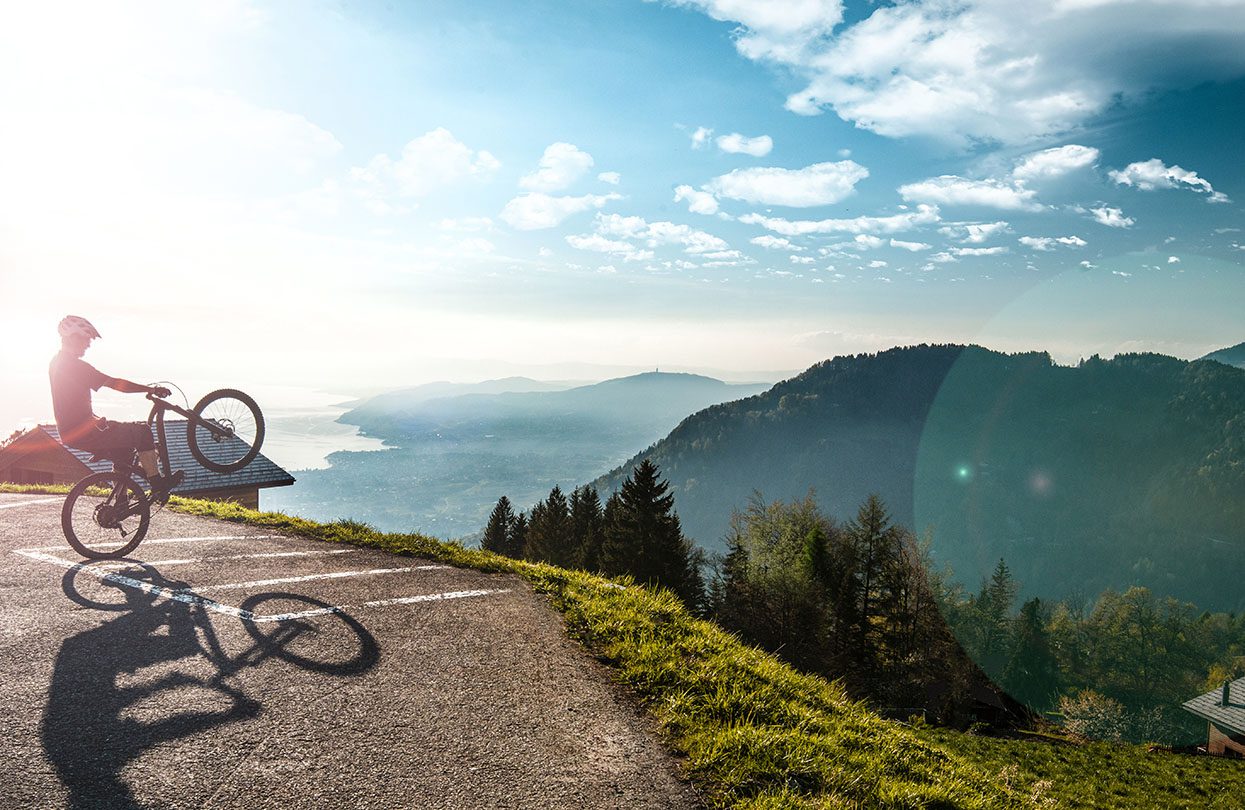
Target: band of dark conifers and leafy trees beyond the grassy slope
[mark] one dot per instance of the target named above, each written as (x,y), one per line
(862,602)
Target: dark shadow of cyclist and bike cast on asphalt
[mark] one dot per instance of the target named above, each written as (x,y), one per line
(106,680)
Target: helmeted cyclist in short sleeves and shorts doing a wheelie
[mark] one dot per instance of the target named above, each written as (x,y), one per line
(73,381)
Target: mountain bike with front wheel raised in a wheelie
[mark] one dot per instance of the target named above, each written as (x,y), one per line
(106,514)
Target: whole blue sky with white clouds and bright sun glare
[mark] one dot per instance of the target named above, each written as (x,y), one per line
(359,196)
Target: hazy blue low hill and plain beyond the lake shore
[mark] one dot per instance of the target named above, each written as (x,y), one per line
(454,456)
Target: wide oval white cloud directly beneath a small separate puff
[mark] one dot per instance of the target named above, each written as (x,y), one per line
(817,185)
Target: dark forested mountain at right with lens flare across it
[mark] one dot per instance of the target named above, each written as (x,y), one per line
(1111,473)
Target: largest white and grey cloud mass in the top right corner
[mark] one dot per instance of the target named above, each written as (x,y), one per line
(965,72)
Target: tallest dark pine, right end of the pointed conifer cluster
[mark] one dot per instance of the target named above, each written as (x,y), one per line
(643,537)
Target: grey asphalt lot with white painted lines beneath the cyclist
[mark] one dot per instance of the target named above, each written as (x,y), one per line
(231,668)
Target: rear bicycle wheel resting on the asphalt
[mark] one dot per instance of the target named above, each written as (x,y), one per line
(83,512)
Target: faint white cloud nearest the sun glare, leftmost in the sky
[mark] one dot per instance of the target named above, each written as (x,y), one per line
(435,160)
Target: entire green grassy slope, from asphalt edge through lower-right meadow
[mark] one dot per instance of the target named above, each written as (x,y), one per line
(759,735)
